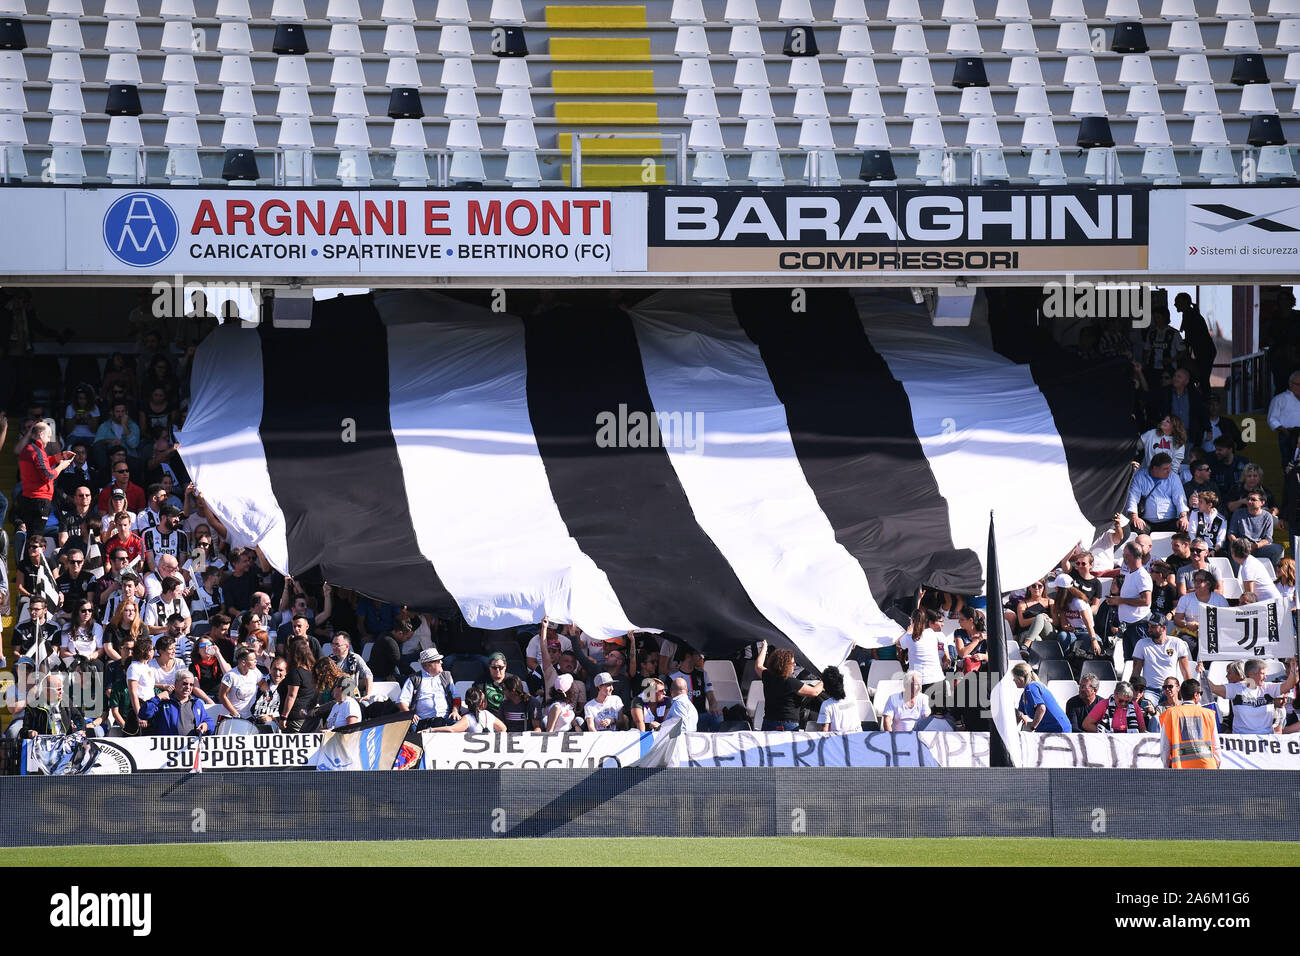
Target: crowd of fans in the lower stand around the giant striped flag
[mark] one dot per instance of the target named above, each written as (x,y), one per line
(127,581)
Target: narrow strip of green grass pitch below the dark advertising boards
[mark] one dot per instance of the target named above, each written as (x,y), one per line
(788,851)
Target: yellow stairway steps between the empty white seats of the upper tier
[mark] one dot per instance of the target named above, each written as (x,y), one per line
(613,62)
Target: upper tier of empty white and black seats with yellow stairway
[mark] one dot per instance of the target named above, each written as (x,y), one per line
(358,94)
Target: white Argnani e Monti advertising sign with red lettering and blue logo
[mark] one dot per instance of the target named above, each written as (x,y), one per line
(350,233)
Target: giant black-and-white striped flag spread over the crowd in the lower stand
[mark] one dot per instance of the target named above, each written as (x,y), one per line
(709,466)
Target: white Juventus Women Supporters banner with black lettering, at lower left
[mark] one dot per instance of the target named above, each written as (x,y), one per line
(144,755)
